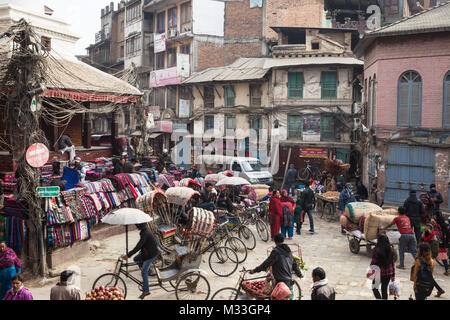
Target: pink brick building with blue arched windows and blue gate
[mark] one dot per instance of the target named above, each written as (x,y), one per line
(406,99)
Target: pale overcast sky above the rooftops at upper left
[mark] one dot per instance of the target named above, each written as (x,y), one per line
(83,15)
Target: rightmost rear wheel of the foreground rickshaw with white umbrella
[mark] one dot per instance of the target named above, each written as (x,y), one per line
(193,286)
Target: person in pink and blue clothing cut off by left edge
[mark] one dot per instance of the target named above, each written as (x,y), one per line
(10,264)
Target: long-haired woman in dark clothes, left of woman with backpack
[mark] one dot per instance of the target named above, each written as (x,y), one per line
(383,258)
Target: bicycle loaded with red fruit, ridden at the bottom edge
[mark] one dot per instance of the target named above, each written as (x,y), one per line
(238,292)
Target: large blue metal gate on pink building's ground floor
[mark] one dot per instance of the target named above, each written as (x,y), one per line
(407,168)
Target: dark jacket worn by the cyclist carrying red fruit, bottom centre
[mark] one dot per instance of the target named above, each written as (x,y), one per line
(282,263)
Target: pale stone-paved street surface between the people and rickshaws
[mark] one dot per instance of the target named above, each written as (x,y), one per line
(328,249)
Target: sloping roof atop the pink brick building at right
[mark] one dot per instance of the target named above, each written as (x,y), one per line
(431,20)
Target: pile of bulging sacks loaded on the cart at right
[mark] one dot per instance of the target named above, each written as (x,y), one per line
(366,217)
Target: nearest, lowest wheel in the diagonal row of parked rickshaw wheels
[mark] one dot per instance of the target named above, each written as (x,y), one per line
(220,262)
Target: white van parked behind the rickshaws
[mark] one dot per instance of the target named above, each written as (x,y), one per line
(247,168)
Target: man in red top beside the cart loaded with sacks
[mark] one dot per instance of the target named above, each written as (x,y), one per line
(407,241)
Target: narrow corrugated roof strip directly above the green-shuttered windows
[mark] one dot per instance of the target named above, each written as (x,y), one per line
(273,63)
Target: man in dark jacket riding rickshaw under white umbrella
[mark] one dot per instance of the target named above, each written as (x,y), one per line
(148,247)
